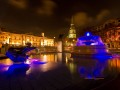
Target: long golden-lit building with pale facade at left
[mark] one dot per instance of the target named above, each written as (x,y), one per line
(22,39)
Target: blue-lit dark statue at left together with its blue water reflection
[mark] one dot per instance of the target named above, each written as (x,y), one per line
(19,56)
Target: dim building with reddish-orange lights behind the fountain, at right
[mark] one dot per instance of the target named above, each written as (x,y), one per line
(109,32)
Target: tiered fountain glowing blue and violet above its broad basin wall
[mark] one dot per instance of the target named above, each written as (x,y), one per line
(90,45)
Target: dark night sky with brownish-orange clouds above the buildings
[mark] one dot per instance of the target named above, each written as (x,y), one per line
(53,17)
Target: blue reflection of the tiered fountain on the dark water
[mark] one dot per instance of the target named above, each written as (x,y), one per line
(91,69)
